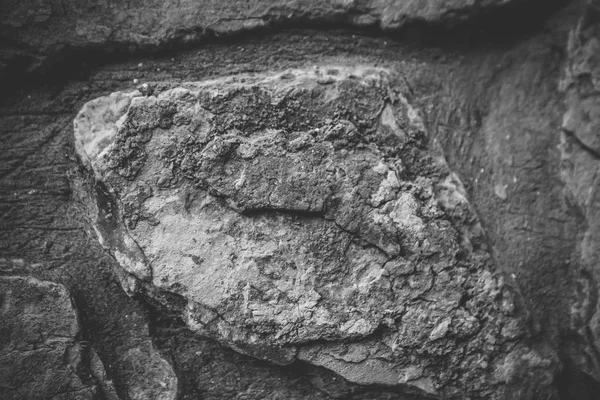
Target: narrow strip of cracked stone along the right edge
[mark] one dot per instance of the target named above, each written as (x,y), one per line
(580,170)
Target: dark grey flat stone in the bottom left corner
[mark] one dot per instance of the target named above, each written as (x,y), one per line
(41,356)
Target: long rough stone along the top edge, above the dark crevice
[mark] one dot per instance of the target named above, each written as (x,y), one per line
(34,32)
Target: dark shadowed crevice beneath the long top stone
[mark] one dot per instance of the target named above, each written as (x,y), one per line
(487,28)
